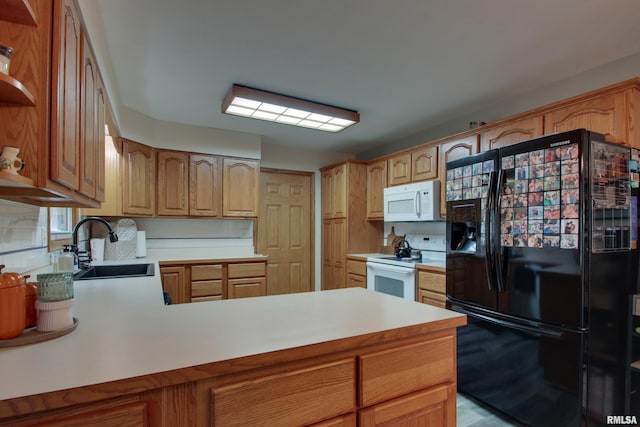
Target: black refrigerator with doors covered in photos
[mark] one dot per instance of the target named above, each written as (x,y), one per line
(541,256)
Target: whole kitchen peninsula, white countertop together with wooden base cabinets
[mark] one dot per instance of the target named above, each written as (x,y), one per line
(321,357)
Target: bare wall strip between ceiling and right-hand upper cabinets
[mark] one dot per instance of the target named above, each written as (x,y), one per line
(604,75)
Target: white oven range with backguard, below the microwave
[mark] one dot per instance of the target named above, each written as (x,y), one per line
(397,276)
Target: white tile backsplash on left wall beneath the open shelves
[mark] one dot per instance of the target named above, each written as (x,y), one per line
(23,236)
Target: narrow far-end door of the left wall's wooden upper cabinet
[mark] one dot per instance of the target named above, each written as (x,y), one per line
(89,150)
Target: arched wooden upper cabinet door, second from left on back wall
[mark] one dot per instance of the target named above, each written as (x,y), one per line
(173,183)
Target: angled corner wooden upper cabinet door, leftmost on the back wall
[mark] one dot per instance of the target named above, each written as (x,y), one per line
(139,179)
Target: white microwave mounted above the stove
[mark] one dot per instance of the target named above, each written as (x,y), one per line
(419,201)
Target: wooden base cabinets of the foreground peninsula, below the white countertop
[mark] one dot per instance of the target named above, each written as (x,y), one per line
(399,377)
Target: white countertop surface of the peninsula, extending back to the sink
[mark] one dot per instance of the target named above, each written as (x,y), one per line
(125,330)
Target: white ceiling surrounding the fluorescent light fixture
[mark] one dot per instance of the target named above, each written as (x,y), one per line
(405,65)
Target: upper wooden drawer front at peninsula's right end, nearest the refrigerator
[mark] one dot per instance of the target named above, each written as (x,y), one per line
(388,374)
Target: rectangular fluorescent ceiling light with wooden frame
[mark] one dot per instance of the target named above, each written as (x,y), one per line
(258,104)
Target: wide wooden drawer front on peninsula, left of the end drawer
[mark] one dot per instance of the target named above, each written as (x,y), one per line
(300,397)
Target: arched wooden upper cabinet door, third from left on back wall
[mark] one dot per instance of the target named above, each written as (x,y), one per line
(204,185)
